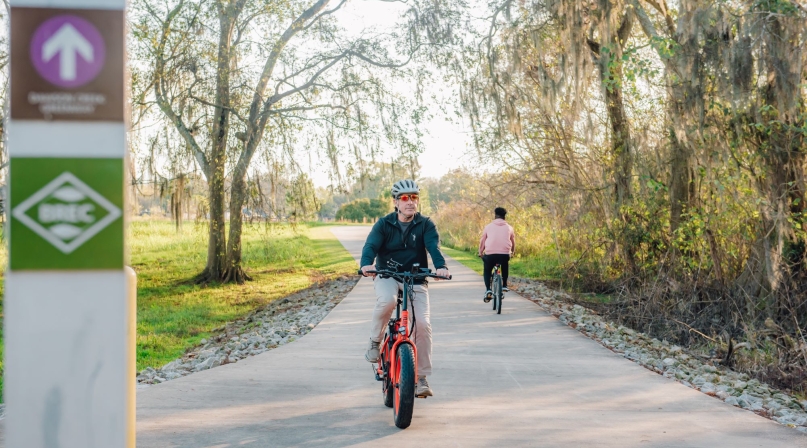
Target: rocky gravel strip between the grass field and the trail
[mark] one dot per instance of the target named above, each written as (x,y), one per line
(278,323)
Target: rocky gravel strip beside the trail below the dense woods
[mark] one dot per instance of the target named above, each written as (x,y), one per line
(670,361)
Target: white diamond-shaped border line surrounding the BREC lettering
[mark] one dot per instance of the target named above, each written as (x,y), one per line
(66,177)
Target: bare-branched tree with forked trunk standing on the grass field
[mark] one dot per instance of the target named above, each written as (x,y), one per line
(234,79)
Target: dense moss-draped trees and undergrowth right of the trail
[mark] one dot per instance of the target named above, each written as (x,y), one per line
(651,149)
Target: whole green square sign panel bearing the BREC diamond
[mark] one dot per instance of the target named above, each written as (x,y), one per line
(66,213)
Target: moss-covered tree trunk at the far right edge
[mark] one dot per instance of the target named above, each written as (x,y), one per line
(780,248)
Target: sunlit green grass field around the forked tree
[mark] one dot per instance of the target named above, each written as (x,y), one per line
(173,314)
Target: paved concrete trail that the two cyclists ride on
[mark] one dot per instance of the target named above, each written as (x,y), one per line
(516,379)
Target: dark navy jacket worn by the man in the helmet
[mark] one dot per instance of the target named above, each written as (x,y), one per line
(388,242)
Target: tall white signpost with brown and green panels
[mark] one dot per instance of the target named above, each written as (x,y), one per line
(69,302)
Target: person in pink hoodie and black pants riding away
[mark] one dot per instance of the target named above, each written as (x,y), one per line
(498,243)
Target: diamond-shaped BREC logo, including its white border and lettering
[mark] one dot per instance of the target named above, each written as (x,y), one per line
(66,212)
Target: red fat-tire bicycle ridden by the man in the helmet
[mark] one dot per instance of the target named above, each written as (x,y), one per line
(397,363)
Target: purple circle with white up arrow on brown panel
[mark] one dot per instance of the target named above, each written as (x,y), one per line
(67,51)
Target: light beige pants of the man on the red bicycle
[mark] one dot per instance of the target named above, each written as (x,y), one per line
(386,291)
